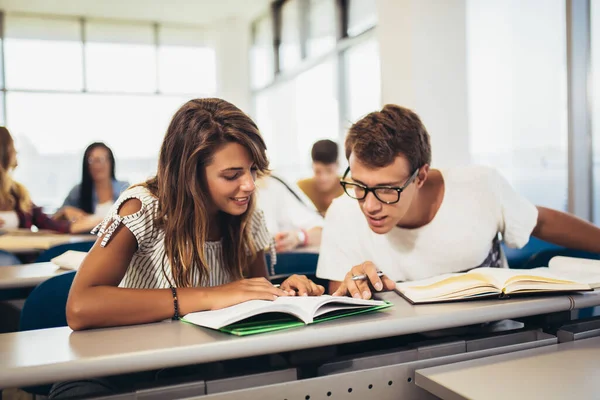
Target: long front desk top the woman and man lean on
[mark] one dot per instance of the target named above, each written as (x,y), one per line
(51,355)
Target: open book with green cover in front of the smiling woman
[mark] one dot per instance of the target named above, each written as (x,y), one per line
(258,316)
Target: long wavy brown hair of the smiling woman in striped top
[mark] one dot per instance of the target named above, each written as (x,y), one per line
(197,131)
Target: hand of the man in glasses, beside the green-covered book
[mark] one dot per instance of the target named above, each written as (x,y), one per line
(362,288)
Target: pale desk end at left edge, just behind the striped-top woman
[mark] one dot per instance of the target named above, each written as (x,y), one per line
(27,275)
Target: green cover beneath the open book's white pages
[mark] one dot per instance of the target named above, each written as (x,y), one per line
(261,325)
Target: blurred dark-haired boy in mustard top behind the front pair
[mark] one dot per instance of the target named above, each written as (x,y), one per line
(324,186)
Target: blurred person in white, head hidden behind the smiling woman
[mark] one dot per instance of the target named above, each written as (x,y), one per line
(290,217)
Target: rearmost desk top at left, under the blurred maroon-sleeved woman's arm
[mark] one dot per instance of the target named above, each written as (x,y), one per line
(31,242)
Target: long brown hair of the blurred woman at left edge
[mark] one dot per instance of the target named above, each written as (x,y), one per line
(12,193)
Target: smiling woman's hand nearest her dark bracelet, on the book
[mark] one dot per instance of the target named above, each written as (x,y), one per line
(240,291)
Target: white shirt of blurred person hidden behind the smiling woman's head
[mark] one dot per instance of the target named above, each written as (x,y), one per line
(283,211)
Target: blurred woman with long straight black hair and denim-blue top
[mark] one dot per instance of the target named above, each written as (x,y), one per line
(98,189)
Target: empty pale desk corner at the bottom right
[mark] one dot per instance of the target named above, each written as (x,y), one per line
(567,370)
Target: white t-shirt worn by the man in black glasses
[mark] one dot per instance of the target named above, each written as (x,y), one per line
(478,204)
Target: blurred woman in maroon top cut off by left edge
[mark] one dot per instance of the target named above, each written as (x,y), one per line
(16,208)
